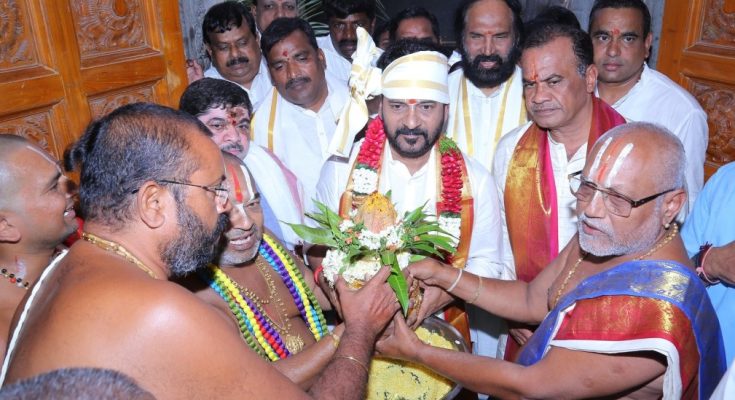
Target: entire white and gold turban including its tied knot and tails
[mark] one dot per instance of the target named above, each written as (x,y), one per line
(422,76)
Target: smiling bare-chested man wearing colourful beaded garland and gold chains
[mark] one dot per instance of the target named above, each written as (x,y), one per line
(260,286)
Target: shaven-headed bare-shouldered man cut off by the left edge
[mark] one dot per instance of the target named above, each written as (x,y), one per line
(36,215)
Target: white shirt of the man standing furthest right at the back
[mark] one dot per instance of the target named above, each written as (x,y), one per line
(656,98)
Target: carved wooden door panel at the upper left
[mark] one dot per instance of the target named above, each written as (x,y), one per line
(65,62)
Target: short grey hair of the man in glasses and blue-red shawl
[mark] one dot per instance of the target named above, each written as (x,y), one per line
(670,151)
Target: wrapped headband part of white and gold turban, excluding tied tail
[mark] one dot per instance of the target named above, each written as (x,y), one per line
(422,76)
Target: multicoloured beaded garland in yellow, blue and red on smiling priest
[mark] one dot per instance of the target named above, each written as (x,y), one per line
(256,328)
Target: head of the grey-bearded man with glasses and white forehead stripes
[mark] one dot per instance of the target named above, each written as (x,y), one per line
(630,190)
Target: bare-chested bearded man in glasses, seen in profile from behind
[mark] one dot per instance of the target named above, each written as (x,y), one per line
(154,199)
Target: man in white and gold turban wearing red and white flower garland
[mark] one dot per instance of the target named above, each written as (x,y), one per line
(406,152)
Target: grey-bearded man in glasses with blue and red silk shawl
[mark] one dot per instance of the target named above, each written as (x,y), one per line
(622,313)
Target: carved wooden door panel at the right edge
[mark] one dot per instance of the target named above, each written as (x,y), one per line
(698,51)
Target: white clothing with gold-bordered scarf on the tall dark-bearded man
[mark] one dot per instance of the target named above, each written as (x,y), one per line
(485,126)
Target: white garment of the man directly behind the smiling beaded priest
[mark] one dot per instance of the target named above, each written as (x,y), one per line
(283,193)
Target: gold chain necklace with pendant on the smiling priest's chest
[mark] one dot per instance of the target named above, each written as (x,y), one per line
(294,343)
